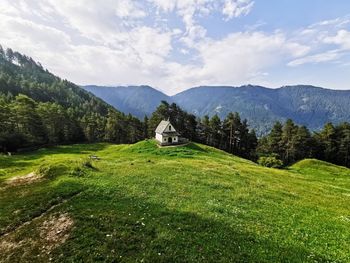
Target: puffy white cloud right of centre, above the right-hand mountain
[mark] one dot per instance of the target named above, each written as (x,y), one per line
(241,56)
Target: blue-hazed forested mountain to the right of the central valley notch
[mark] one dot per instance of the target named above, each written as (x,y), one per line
(306,105)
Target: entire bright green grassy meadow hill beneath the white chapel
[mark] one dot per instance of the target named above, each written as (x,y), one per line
(141,203)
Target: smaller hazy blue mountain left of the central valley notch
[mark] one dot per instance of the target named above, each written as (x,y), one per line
(137,100)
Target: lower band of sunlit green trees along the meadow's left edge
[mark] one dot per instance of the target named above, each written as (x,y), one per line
(26,123)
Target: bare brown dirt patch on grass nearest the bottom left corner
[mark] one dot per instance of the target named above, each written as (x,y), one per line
(55,231)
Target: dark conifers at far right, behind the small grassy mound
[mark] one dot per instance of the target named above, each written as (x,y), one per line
(289,143)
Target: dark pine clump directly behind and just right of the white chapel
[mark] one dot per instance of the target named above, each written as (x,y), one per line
(231,134)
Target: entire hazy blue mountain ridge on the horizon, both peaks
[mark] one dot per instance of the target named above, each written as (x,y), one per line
(306,105)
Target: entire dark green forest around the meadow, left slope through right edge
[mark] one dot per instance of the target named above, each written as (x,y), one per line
(39,109)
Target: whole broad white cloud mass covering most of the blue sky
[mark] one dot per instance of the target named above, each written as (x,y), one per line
(114,43)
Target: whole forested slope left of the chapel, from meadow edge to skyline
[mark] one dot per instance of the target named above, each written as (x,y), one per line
(38,108)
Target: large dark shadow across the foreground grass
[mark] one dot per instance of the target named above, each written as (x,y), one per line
(111,226)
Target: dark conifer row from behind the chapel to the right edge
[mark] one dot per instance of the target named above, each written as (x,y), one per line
(285,144)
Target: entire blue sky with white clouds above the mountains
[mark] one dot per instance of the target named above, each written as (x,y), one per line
(173,45)
